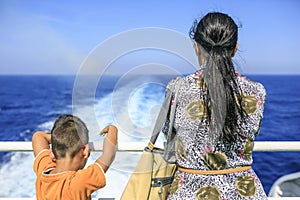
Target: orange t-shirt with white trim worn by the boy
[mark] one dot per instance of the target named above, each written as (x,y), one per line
(73,185)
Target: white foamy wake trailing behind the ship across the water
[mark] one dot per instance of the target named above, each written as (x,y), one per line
(139,110)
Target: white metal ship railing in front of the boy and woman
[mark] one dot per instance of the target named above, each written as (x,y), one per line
(270,146)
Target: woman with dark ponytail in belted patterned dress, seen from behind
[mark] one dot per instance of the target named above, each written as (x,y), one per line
(218,114)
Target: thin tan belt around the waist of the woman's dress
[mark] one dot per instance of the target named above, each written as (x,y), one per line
(214,172)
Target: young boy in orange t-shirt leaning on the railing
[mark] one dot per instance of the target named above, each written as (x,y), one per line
(59,170)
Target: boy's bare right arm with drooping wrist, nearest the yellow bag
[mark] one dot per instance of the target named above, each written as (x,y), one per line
(109,147)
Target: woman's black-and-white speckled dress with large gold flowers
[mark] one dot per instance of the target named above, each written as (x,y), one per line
(191,126)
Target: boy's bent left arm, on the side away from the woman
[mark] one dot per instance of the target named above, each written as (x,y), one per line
(40,141)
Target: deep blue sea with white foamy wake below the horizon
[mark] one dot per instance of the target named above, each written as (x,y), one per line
(29,103)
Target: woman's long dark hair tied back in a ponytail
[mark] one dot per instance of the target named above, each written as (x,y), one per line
(216,35)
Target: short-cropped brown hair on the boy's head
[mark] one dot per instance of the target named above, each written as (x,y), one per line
(68,135)
